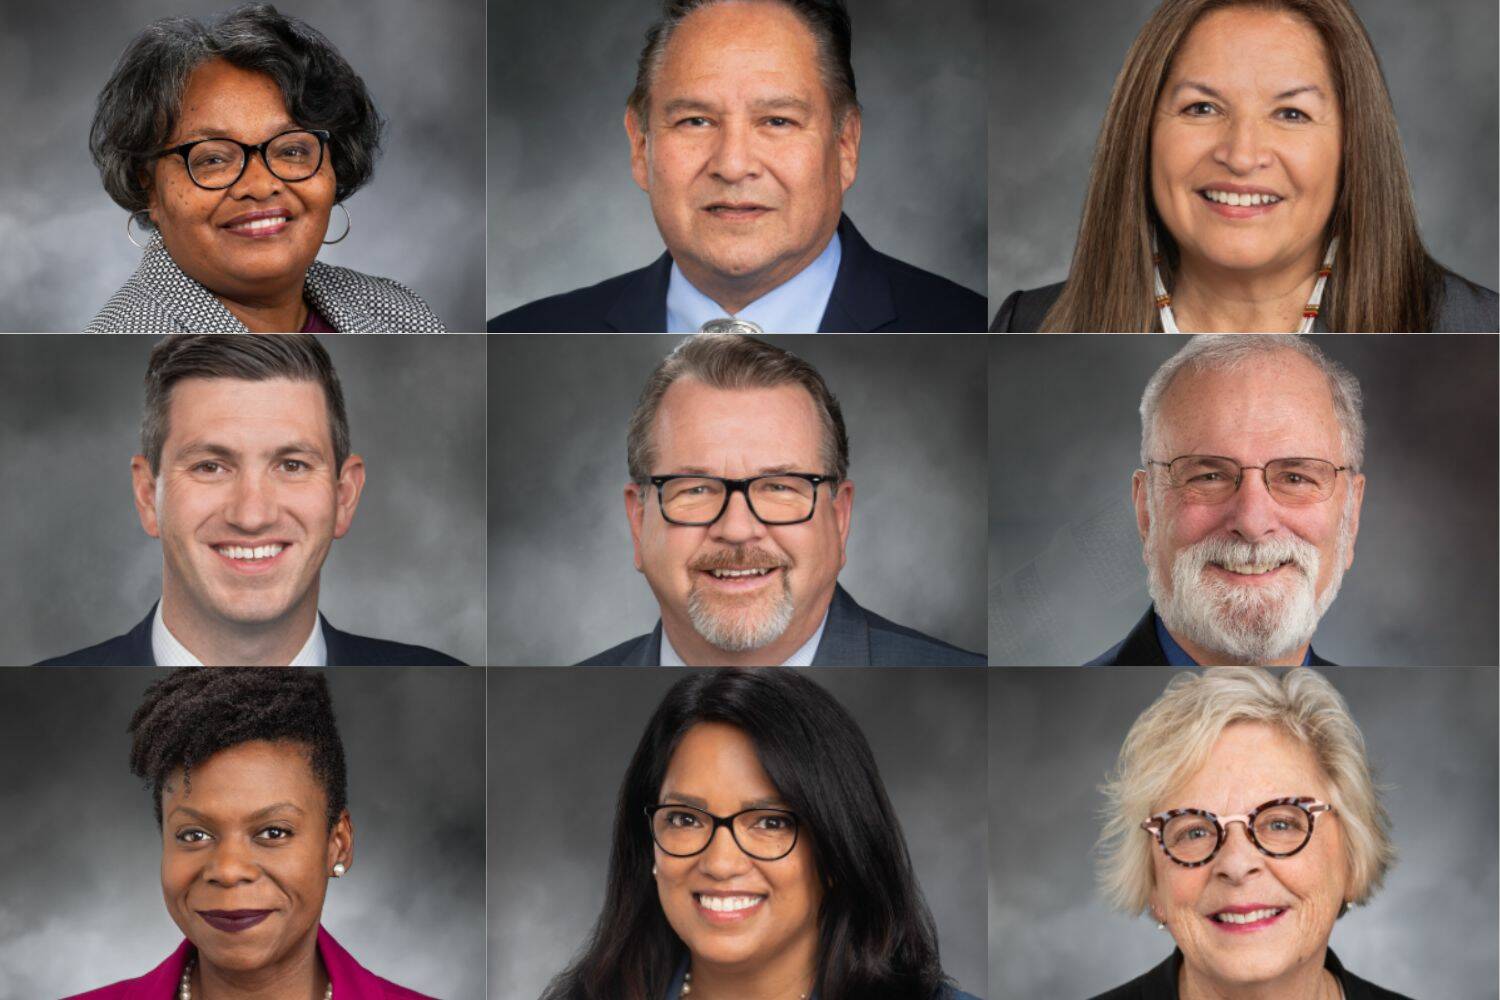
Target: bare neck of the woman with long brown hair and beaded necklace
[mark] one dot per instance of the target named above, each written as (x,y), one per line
(1217,301)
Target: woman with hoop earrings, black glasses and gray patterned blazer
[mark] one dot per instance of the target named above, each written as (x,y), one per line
(230,145)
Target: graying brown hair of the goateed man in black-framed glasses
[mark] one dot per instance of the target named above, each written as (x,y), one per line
(734,362)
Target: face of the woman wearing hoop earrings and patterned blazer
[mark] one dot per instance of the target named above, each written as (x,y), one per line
(209,233)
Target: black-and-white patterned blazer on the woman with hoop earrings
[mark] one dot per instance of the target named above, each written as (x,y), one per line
(161,299)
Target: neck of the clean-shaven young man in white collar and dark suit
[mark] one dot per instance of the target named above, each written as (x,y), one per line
(218,642)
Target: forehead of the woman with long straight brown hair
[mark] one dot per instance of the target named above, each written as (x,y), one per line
(1255,49)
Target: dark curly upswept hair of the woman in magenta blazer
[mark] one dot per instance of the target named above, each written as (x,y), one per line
(194,713)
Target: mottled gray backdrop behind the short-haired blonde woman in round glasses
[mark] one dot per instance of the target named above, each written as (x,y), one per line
(1432,740)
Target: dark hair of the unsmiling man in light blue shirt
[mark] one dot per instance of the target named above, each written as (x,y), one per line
(829,22)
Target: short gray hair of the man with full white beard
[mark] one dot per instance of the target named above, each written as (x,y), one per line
(1226,352)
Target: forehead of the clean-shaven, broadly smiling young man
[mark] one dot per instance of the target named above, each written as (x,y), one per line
(232,410)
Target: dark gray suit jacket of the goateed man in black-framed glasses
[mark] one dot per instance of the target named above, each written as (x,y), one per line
(853,638)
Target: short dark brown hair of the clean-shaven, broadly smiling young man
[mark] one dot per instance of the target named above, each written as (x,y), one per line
(244,356)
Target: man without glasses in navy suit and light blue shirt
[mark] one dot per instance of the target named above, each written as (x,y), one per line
(745,133)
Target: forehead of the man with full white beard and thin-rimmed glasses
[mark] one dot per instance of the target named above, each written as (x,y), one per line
(1268,407)
